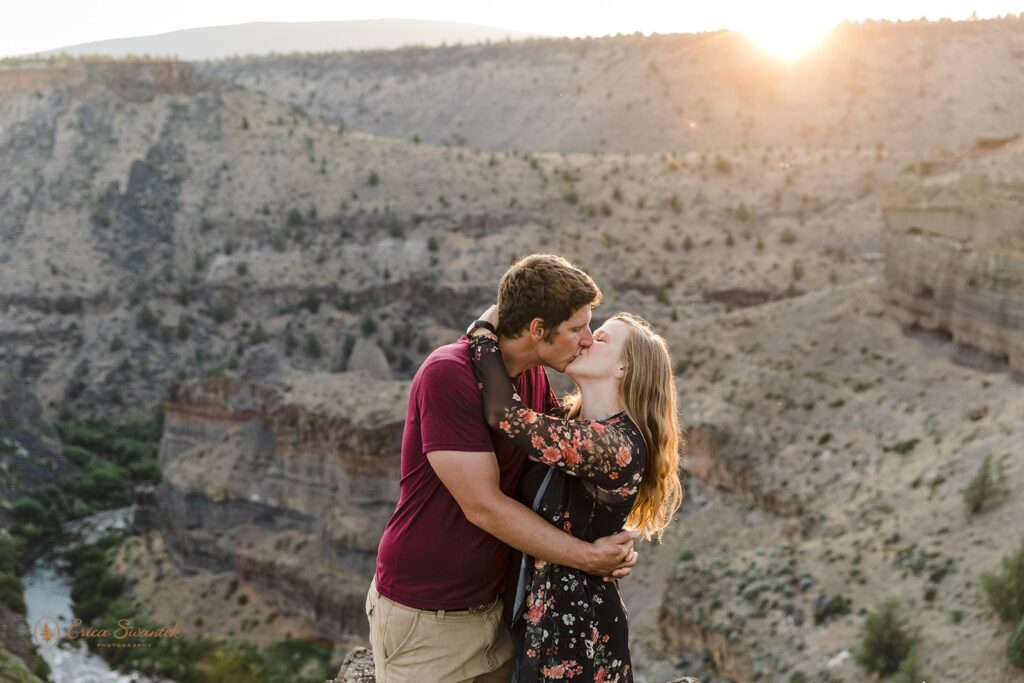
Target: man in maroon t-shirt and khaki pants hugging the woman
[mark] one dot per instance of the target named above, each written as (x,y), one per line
(435,606)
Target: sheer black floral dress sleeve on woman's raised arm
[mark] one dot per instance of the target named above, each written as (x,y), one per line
(604,455)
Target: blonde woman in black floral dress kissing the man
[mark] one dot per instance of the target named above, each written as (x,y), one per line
(612,461)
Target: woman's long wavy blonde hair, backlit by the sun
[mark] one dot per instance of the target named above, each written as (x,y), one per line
(648,393)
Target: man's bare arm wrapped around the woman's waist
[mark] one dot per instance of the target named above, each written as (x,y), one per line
(473,480)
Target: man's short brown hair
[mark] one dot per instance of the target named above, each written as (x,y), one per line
(542,286)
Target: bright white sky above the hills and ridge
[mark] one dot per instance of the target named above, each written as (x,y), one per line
(42,25)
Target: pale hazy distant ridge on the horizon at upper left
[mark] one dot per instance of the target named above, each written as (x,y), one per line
(283,37)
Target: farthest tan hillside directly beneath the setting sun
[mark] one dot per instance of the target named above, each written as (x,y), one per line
(919,88)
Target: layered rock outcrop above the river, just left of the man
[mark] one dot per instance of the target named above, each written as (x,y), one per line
(287,479)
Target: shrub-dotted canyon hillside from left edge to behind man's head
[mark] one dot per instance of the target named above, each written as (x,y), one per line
(180,223)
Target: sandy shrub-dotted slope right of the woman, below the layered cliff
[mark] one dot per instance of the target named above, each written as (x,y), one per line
(831,452)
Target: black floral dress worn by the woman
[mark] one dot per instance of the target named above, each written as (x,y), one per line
(573,625)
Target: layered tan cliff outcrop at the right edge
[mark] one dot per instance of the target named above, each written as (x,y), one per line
(955,251)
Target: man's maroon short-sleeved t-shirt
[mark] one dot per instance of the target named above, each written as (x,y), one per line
(431,557)
